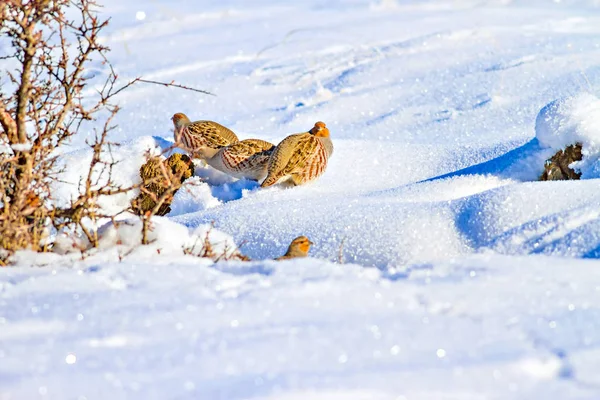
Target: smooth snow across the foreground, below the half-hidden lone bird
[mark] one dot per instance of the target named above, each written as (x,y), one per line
(265,330)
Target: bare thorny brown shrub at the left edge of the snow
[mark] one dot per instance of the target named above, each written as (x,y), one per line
(45,99)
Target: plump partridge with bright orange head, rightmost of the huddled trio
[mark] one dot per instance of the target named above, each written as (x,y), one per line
(300,158)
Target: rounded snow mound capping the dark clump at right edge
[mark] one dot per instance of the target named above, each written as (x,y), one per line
(570,120)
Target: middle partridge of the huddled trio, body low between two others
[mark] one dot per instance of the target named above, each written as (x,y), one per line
(245,159)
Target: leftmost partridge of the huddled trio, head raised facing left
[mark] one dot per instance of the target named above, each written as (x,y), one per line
(201,138)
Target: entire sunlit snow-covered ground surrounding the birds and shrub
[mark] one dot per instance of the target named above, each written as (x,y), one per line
(464,279)
